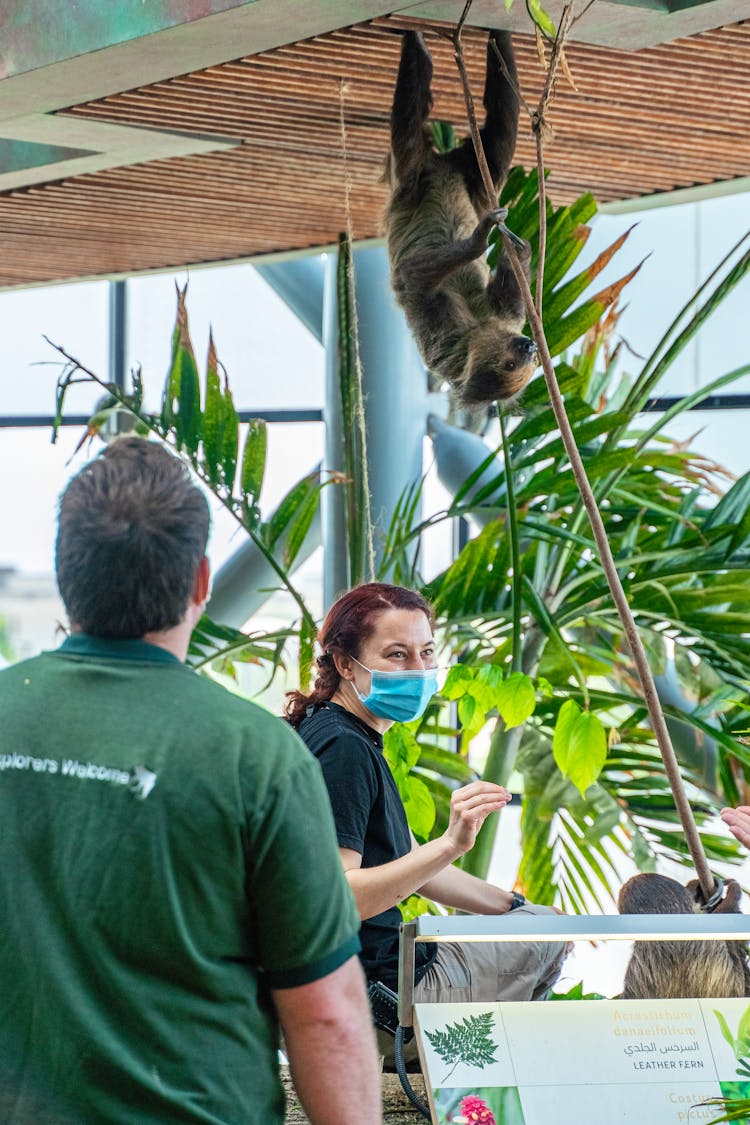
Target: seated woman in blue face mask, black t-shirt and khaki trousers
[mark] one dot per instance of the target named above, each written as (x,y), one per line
(378,668)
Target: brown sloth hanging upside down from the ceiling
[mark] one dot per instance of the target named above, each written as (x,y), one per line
(467,322)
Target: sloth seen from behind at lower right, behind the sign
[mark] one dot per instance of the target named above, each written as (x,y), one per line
(677,970)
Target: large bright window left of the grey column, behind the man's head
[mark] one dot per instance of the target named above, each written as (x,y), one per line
(273,362)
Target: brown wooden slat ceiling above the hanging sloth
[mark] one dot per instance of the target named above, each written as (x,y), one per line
(658,120)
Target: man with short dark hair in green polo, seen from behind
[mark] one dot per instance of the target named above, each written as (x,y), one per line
(170,885)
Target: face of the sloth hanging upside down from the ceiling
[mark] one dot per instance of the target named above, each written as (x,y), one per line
(499,367)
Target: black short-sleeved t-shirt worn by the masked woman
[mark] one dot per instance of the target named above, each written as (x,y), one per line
(371,820)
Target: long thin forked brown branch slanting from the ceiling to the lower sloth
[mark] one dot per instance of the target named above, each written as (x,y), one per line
(646,678)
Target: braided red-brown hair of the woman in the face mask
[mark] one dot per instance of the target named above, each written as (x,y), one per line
(349,623)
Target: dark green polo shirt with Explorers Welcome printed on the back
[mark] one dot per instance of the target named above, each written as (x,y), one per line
(167,858)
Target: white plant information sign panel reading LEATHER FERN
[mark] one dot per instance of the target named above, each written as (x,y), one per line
(584,1063)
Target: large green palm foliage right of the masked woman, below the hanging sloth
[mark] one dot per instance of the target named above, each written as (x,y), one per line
(682,544)
